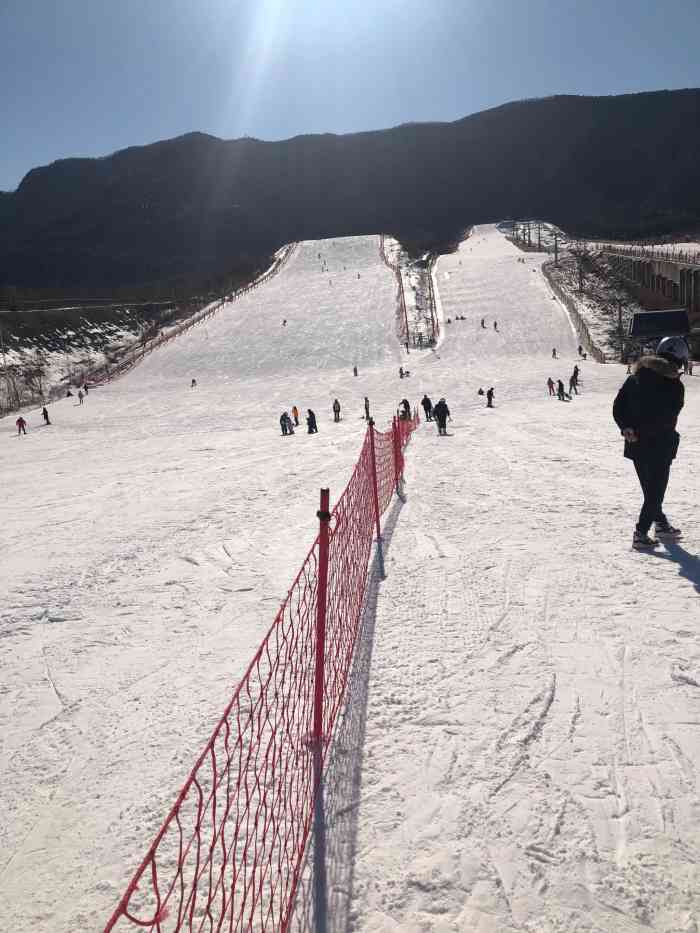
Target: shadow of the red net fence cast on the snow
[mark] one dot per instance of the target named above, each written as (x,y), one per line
(343,774)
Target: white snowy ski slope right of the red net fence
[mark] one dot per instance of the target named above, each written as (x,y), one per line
(533,734)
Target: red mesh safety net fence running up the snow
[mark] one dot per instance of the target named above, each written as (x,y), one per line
(229,855)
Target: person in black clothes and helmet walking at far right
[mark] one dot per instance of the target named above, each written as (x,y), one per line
(646,411)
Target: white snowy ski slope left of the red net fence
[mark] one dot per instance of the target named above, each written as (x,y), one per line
(149,538)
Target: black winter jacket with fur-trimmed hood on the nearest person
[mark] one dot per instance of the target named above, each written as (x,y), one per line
(650,401)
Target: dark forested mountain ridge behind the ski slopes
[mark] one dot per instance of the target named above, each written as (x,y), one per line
(198,207)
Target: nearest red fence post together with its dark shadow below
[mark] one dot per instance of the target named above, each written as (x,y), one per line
(320,881)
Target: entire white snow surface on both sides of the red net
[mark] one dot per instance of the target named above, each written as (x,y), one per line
(532,742)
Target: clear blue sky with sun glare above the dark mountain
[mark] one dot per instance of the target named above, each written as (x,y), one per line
(87,77)
